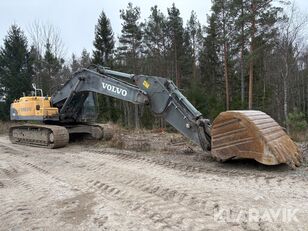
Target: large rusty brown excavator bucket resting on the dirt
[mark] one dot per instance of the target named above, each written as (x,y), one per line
(254,135)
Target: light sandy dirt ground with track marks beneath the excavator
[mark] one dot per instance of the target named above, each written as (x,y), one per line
(145,181)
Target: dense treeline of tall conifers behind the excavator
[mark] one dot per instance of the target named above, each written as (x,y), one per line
(250,55)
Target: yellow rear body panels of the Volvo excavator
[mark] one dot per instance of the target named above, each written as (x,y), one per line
(35,106)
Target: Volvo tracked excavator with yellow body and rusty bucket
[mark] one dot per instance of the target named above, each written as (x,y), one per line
(71,110)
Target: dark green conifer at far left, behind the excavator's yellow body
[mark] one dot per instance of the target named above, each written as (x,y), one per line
(15,66)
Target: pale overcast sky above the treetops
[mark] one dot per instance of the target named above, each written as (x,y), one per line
(76,19)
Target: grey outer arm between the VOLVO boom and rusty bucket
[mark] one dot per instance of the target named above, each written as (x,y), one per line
(167,101)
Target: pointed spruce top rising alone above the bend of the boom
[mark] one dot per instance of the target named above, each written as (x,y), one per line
(104,41)
